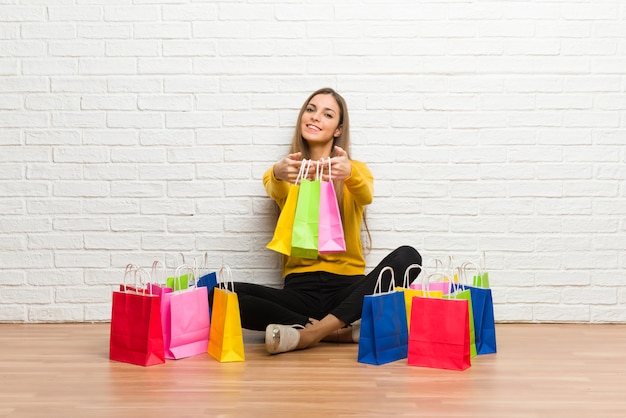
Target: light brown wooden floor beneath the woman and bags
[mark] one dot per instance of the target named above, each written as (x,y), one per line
(63,370)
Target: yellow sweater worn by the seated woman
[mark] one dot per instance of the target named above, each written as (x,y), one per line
(358,191)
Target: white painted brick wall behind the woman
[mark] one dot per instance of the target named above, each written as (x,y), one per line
(135,130)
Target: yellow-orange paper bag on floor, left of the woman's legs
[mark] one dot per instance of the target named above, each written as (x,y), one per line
(226,335)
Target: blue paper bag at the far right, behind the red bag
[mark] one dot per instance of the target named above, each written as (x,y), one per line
(482,307)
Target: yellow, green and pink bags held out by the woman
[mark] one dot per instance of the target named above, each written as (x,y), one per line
(310,222)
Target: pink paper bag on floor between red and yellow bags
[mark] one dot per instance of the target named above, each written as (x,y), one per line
(188,318)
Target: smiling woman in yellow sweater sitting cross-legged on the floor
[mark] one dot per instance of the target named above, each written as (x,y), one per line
(321,298)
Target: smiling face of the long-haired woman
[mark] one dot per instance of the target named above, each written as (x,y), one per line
(320,120)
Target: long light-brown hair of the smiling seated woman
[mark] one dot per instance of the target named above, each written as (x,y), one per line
(299,144)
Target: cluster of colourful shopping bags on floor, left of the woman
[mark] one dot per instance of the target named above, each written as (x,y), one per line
(157,318)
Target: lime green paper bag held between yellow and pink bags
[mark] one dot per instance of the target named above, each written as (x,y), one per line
(304,239)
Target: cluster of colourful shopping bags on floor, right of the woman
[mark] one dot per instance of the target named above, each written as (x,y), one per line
(448,321)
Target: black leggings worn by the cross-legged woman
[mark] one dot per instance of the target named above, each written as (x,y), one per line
(315,295)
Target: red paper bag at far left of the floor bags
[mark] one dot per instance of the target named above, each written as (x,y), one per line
(136,336)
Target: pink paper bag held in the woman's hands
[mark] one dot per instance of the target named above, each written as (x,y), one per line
(331,238)
